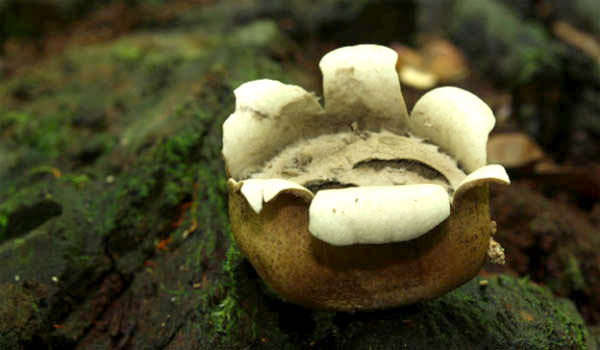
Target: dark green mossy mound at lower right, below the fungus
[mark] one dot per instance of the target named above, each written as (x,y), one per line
(507,313)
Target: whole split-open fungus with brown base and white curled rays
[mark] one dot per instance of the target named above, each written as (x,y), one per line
(359,205)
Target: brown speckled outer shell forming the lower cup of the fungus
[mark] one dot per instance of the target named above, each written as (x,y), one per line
(307,271)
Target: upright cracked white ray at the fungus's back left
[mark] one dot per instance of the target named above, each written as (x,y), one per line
(268,116)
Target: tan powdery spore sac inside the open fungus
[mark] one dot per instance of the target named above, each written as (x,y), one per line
(363,159)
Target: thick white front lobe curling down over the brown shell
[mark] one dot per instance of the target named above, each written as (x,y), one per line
(377,214)
